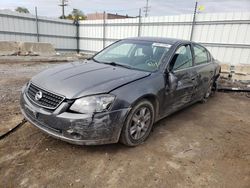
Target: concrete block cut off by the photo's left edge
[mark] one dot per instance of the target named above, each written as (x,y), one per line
(8,48)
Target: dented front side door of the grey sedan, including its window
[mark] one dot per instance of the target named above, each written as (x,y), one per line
(181,68)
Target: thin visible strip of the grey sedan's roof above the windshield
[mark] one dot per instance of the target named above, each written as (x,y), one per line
(159,39)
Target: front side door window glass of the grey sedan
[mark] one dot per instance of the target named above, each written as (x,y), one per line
(182,58)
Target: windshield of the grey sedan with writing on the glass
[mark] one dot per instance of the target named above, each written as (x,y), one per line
(141,55)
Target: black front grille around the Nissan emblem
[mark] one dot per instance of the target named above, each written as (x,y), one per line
(48,100)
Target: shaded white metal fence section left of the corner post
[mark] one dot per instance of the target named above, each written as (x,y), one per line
(22,27)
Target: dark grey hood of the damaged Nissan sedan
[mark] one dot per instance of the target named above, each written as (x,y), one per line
(74,80)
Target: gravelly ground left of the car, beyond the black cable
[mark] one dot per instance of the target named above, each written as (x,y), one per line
(12,77)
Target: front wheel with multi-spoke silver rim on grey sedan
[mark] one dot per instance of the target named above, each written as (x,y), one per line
(138,124)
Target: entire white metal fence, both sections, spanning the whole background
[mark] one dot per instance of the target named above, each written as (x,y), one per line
(226,35)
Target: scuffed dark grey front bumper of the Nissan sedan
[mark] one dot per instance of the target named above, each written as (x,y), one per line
(81,129)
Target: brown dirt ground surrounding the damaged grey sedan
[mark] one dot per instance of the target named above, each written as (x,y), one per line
(204,145)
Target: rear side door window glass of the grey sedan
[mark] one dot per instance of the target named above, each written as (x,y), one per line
(200,55)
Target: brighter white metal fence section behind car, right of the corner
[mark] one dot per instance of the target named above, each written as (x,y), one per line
(226,35)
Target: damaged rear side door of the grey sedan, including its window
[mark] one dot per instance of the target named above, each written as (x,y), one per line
(204,68)
